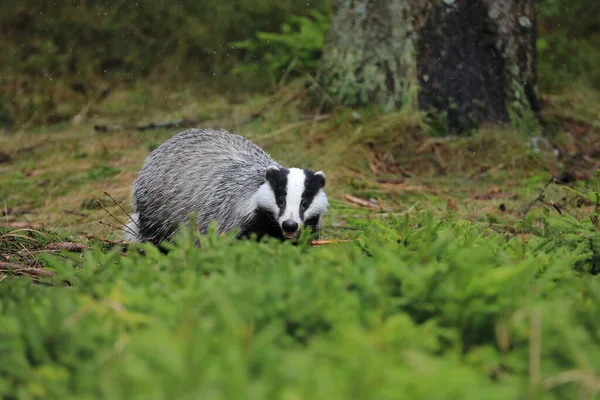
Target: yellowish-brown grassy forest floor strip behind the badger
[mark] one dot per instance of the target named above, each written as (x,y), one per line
(57,177)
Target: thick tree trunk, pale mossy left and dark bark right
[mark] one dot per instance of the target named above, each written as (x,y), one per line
(473,61)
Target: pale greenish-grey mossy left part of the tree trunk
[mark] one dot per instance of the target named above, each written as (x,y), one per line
(369,53)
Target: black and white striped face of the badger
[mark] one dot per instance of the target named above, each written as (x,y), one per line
(295,197)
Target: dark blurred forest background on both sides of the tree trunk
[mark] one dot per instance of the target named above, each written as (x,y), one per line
(57,55)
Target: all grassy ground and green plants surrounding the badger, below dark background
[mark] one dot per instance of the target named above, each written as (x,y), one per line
(448,281)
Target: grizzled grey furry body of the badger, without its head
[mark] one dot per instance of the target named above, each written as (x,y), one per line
(211,173)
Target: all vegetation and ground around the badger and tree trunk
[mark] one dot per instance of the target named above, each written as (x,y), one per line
(472,275)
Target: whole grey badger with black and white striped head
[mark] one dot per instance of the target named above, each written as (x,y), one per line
(224,178)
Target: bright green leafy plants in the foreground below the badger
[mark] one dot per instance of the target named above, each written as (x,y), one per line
(414,300)
